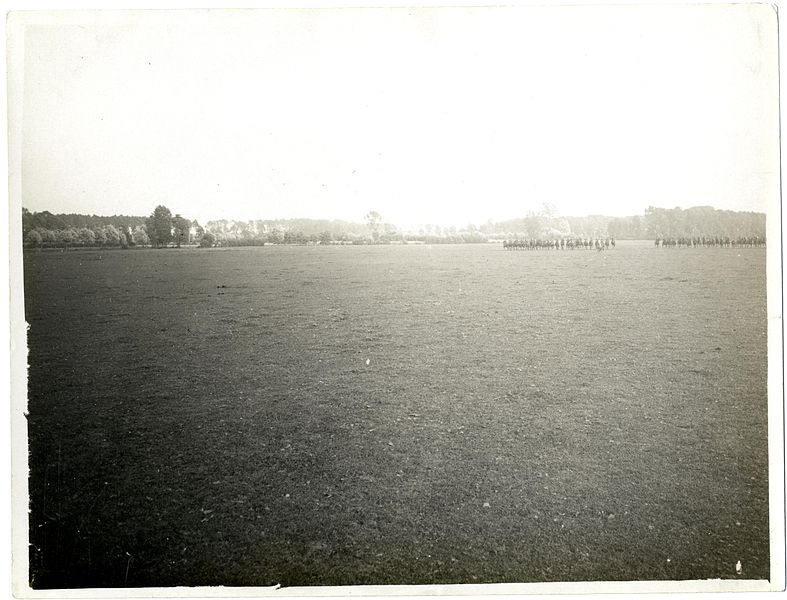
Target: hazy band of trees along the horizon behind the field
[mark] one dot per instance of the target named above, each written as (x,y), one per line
(47,230)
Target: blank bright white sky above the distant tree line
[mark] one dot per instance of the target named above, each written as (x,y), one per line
(449,115)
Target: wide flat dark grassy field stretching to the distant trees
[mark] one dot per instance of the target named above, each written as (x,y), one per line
(396,415)
